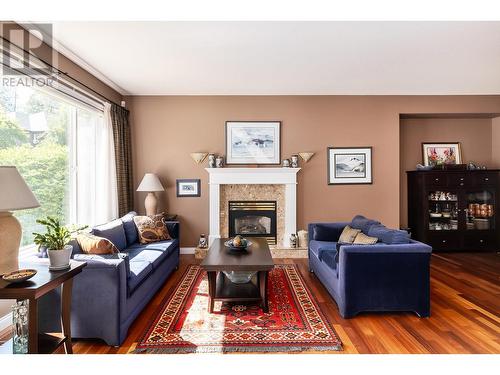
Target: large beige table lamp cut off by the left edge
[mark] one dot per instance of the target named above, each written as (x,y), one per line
(14,195)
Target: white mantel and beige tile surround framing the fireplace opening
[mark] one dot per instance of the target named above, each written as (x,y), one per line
(252,184)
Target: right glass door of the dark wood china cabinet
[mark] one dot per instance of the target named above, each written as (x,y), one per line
(480,209)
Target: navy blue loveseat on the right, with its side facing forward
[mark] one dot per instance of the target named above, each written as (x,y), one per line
(391,275)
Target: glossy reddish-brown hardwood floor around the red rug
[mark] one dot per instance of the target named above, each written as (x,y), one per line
(465,312)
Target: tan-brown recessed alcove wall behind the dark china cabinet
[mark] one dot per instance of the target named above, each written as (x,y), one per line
(474,135)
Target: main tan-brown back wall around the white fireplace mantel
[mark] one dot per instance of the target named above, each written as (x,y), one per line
(166,129)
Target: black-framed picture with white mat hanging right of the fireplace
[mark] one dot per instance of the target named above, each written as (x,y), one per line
(349,165)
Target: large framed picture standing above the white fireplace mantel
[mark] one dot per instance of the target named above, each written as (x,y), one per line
(253,142)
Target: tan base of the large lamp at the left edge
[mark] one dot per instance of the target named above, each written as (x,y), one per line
(10,239)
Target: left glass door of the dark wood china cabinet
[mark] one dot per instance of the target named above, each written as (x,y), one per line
(443,210)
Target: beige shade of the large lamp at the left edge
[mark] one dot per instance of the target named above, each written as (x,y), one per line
(14,193)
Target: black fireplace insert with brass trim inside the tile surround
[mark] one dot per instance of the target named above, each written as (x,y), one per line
(253,219)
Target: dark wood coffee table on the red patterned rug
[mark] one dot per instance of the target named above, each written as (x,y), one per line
(257,258)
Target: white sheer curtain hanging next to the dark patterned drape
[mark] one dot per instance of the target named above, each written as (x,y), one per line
(96,188)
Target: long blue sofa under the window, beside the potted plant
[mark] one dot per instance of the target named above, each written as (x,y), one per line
(113,289)
